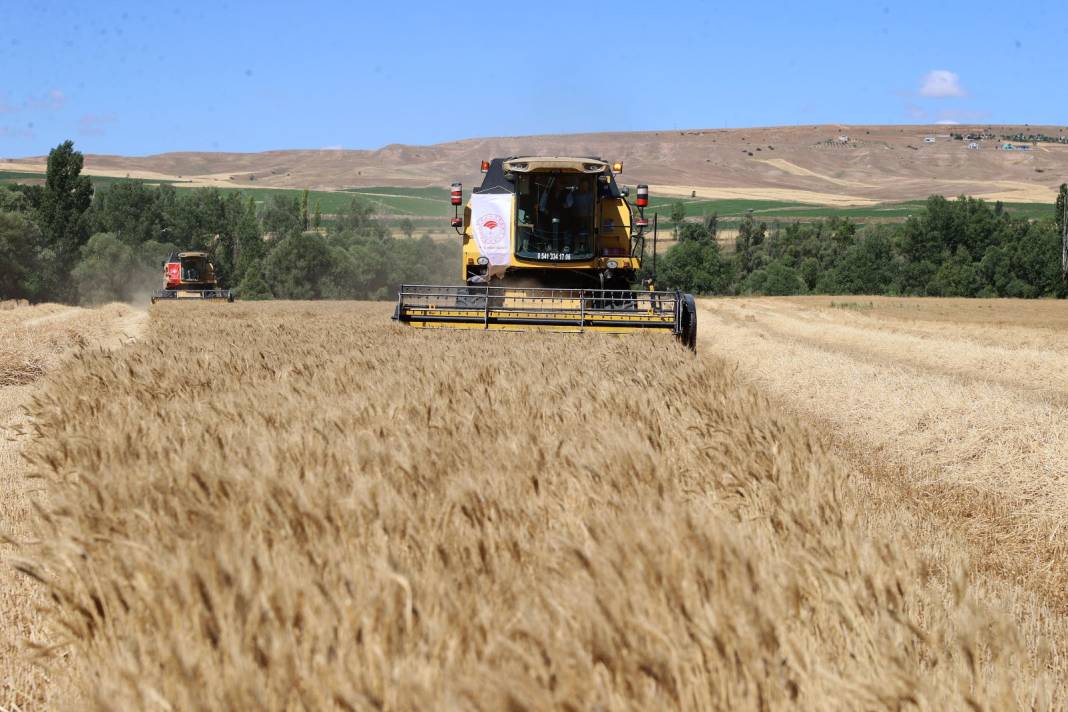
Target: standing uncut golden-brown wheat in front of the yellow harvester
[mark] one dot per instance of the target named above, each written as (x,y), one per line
(300,505)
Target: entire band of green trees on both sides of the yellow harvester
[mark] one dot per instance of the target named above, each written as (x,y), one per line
(66,242)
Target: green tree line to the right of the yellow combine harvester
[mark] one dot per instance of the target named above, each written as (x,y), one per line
(963,248)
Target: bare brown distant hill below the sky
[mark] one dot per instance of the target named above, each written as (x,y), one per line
(834,165)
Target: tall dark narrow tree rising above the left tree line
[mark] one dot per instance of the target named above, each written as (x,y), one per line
(61,217)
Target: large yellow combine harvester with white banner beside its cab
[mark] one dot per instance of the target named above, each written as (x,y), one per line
(551,244)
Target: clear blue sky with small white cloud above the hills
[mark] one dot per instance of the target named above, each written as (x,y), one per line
(150,77)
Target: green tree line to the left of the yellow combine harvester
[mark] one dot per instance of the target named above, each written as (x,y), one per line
(66,242)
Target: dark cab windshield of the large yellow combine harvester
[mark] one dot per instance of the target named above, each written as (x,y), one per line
(555,217)
